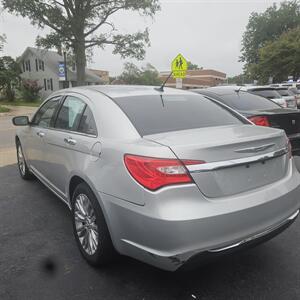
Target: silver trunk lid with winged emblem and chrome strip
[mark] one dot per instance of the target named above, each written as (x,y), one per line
(237,158)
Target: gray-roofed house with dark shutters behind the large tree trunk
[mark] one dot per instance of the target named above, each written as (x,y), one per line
(43,65)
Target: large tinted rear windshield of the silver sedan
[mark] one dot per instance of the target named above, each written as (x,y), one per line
(157,114)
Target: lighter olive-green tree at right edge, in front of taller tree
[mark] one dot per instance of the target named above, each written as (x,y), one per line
(280,58)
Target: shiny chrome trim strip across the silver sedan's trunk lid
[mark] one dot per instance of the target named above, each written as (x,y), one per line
(213,166)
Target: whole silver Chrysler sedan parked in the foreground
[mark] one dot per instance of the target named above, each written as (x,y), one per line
(149,173)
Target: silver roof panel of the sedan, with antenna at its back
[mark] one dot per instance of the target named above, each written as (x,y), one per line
(117,91)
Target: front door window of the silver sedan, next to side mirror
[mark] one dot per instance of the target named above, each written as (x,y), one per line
(43,117)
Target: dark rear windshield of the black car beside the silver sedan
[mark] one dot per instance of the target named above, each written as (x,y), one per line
(246,101)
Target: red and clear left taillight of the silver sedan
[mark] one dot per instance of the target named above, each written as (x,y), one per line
(154,173)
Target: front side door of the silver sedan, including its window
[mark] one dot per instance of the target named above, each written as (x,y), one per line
(37,133)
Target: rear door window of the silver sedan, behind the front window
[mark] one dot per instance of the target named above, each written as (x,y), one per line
(70,114)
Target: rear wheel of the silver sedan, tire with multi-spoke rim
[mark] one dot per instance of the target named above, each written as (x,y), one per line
(88,219)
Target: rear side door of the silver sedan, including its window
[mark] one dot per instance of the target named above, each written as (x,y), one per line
(66,146)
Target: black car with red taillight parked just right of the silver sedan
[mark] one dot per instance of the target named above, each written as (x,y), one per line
(259,110)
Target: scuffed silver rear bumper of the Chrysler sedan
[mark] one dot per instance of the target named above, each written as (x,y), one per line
(170,231)
